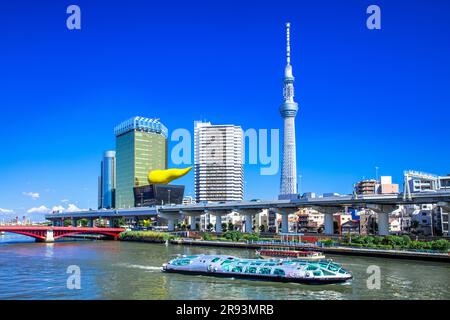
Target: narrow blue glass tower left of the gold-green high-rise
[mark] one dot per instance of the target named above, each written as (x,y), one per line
(107,181)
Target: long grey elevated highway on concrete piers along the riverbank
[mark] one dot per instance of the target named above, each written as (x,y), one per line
(383,205)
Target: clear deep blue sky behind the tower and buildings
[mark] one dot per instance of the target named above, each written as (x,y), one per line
(367,98)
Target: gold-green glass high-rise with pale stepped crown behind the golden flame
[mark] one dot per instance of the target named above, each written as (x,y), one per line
(141,146)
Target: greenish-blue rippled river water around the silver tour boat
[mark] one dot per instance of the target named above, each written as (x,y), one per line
(129,270)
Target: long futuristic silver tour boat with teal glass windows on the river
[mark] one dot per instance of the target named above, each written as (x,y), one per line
(320,272)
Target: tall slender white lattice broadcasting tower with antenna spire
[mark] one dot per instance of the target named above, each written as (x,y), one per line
(288,110)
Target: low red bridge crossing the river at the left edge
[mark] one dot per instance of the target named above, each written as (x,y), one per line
(50,234)
